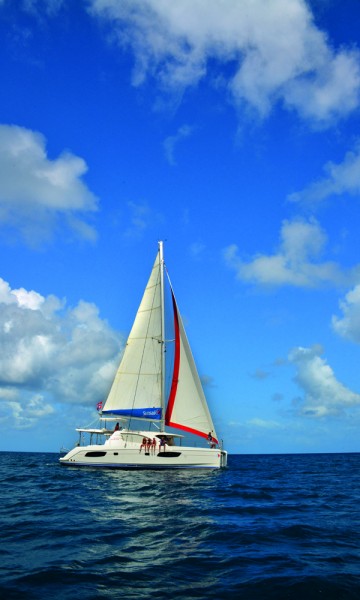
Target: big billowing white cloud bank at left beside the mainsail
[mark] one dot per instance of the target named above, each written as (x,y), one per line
(51,354)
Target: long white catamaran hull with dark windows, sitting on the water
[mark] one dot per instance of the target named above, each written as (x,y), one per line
(131,458)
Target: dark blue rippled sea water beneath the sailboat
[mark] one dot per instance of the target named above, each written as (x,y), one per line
(267,527)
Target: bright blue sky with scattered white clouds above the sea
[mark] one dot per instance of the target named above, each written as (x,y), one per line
(228,128)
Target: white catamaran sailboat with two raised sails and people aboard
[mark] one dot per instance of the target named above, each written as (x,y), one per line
(156,398)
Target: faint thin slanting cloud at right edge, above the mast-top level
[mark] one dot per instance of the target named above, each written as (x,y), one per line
(342,178)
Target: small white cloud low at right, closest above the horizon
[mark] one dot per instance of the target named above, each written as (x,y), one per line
(324,395)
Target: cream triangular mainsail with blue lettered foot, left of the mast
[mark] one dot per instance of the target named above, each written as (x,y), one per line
(136,390)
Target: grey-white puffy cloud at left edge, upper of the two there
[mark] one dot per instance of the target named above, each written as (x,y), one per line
(37,193)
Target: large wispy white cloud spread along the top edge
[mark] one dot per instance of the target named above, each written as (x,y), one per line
(262,53)
